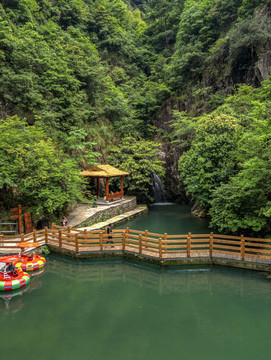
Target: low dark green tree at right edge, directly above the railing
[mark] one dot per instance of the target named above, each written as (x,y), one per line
(243,204)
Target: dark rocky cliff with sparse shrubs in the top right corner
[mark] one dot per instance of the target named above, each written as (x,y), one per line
(243,56)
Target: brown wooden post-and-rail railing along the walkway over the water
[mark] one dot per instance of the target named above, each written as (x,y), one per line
(162,246)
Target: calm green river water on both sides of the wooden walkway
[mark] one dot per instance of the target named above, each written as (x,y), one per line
(123,310)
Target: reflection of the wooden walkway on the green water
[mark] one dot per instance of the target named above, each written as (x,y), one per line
(191,280)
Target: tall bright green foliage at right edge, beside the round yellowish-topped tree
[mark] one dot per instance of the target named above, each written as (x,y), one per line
(243,203)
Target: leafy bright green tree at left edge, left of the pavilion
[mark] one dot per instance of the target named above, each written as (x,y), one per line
(34,171)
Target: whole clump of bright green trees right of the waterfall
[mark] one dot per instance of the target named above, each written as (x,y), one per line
(227,168)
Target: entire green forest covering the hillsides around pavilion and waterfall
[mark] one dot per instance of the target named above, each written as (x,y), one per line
(85,82)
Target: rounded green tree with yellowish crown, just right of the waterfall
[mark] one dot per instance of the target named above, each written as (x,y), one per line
(209,161)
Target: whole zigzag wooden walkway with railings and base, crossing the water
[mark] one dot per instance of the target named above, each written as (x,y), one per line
(162,249)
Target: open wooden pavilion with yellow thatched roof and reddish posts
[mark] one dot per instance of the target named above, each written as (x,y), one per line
(106,172)
